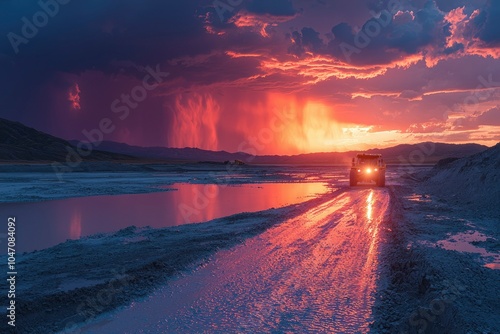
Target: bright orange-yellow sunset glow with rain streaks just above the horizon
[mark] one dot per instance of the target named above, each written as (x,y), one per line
(288,124)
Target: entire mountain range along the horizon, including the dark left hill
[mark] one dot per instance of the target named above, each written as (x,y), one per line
(20,143)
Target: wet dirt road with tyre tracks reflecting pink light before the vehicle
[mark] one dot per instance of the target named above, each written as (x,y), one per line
(316,272)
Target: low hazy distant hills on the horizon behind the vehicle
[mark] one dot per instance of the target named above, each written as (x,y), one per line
(423,153)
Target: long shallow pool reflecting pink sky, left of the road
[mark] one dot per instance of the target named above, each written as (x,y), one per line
(44,224)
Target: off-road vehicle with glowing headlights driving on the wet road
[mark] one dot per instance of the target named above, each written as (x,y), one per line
(367,168)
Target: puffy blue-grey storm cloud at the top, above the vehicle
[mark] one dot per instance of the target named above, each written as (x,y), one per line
(377,34)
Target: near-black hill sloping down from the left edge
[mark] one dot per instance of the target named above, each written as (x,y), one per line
(21,143)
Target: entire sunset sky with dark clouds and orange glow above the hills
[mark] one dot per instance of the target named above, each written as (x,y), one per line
(275,77)
